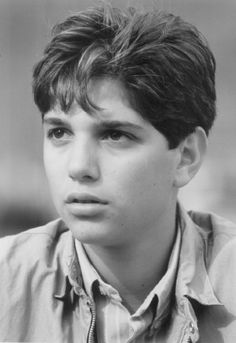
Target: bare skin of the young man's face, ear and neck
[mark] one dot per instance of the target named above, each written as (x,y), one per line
(133,170)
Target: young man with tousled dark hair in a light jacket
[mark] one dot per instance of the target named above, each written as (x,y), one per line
(127,101)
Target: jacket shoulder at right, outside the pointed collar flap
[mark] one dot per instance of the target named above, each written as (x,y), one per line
(221,255)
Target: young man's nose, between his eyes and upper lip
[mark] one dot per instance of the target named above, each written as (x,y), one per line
(83,164)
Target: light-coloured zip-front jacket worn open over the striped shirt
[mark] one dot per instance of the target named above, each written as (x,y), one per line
(42,298)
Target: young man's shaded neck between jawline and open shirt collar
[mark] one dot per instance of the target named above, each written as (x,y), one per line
(135,270)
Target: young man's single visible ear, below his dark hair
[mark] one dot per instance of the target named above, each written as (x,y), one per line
(191,154)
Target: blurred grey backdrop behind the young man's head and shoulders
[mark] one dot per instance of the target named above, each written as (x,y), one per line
(24,31)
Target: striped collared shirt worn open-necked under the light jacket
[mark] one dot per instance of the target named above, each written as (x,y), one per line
(125,327)
